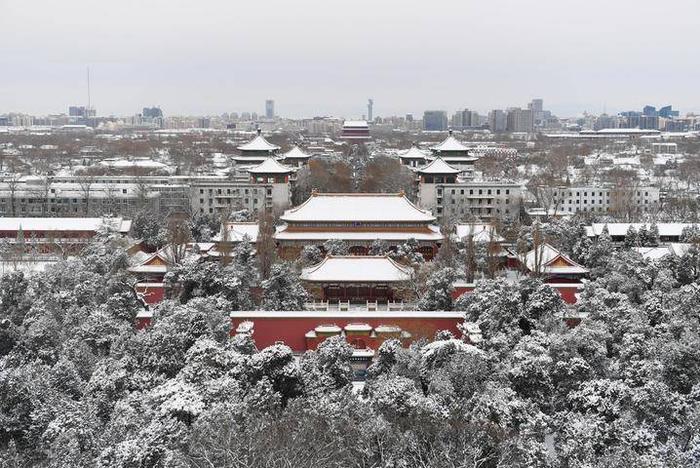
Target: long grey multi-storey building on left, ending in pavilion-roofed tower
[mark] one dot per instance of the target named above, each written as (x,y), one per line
(126,195)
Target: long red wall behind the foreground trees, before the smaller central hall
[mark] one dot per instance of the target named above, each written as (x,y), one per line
(292,331)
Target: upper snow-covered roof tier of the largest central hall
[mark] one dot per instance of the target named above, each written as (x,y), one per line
(357,207)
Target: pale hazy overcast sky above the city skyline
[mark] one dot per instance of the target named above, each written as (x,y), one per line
(326,57)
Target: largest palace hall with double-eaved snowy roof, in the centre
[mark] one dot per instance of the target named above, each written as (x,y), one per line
(359,219)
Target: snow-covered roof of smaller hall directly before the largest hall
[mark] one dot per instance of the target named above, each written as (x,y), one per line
(353,269)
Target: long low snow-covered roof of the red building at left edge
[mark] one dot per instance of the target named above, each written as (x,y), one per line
(64,224)
